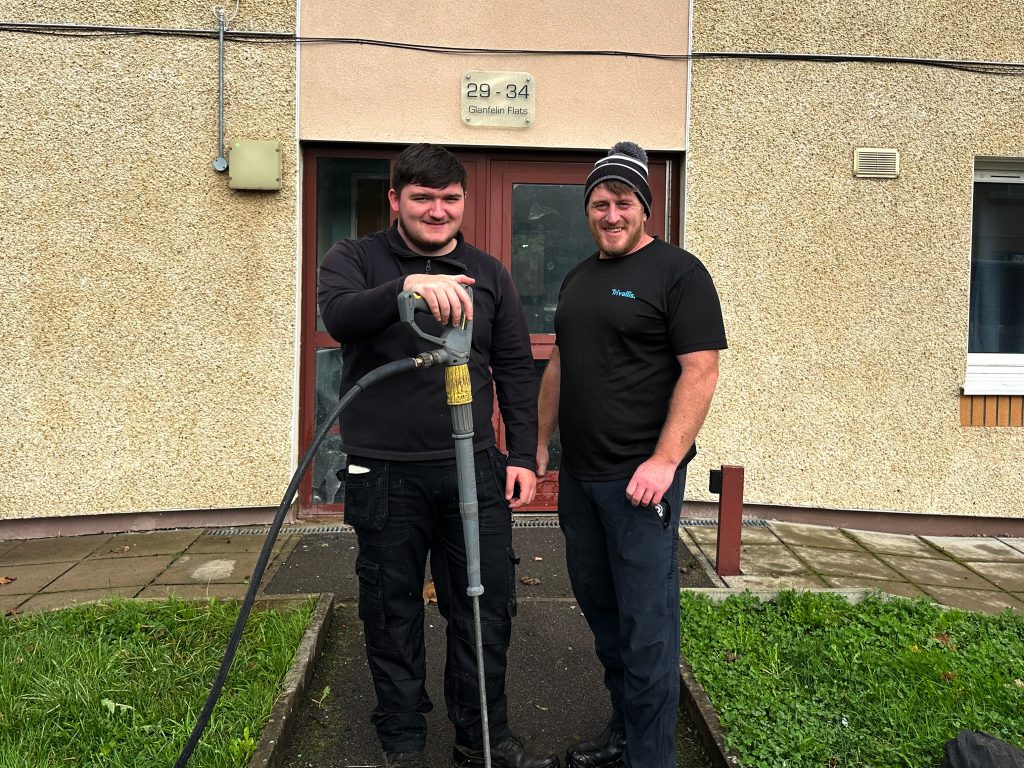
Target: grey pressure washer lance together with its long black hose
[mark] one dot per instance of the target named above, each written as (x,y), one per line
(454,345)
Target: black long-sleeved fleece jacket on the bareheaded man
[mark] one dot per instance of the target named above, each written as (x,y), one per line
(407,418)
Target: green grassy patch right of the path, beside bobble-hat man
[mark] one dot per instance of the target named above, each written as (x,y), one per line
(812,680)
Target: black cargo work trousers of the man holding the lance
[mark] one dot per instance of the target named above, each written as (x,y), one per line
(402,513)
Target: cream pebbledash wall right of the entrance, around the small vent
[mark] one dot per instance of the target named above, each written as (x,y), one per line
(846,298)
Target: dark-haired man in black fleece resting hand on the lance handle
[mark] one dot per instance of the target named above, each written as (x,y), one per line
(402,491)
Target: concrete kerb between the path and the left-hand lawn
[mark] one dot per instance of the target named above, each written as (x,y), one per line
(279,727)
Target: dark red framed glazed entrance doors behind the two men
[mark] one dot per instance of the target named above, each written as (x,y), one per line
(526,210)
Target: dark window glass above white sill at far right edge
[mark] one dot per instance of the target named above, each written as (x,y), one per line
(998,270)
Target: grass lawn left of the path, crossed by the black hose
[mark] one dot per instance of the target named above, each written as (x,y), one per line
(121,684)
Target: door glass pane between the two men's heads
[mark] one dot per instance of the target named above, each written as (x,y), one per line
(549,237)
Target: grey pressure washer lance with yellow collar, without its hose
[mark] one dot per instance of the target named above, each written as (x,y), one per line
(460,400)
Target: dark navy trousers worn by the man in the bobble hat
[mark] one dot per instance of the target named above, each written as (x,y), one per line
(623,564)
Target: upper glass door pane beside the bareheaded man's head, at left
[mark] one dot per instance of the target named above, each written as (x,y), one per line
(352,201)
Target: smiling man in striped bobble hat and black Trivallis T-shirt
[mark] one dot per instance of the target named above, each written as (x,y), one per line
(638,330)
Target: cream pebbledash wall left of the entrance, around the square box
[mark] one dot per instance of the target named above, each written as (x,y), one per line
(147,347)
